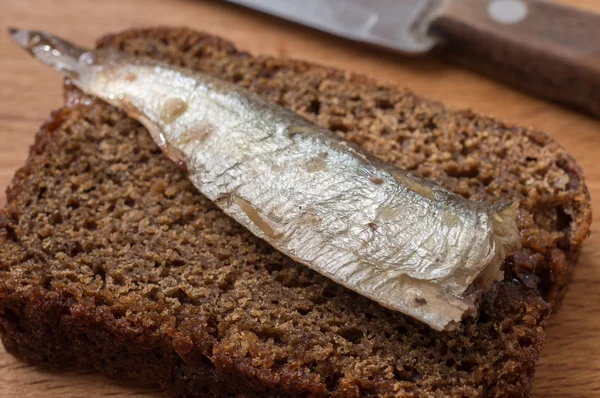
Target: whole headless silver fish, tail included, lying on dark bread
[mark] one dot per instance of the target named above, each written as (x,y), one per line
(396,238)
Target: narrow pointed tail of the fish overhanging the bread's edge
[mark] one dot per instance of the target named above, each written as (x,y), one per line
(53,51)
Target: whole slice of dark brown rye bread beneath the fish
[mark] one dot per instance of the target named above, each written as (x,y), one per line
(110,259)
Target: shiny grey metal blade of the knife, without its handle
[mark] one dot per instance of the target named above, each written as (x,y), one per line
(400,25)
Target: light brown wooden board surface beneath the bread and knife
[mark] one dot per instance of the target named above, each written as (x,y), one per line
(570,363)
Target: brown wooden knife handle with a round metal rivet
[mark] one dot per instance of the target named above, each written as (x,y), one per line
(547,49)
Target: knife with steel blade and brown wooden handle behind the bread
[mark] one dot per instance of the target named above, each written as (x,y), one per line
(547,49)
